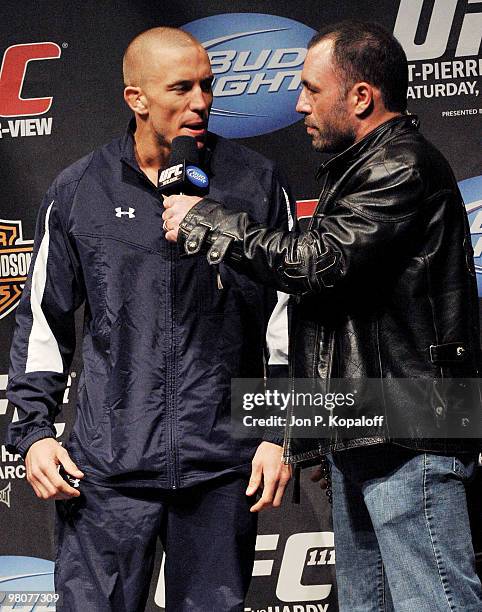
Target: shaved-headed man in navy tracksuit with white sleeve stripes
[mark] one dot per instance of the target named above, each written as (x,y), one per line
(152,445)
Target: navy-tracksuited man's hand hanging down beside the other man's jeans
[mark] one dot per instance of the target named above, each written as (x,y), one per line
(269,473)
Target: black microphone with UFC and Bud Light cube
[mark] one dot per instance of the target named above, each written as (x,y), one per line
(183,175)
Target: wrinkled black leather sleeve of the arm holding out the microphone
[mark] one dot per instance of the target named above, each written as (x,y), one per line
(360,230)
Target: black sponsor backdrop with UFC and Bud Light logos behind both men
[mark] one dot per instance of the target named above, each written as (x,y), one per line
(61,96)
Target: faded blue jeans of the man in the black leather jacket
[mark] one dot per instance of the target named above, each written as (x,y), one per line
(402,535)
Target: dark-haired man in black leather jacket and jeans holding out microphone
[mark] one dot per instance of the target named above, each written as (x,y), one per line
(385,288)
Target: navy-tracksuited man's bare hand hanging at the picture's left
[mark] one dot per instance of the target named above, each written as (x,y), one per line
(42,461)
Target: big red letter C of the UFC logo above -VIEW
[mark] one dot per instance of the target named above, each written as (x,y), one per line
(12,76)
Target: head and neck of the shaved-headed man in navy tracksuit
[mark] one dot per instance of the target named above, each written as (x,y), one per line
(168,86)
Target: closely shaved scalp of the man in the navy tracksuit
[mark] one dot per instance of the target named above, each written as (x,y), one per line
(142,52)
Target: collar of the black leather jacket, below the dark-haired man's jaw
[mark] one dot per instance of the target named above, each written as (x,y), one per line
(376,137)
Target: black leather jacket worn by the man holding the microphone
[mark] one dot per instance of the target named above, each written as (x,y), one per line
(384,277)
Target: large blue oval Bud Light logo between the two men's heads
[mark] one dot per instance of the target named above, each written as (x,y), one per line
(257,61)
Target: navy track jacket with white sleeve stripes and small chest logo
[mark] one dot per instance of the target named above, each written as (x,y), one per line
(161,340)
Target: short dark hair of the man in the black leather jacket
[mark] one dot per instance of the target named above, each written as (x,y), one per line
(365,51)
